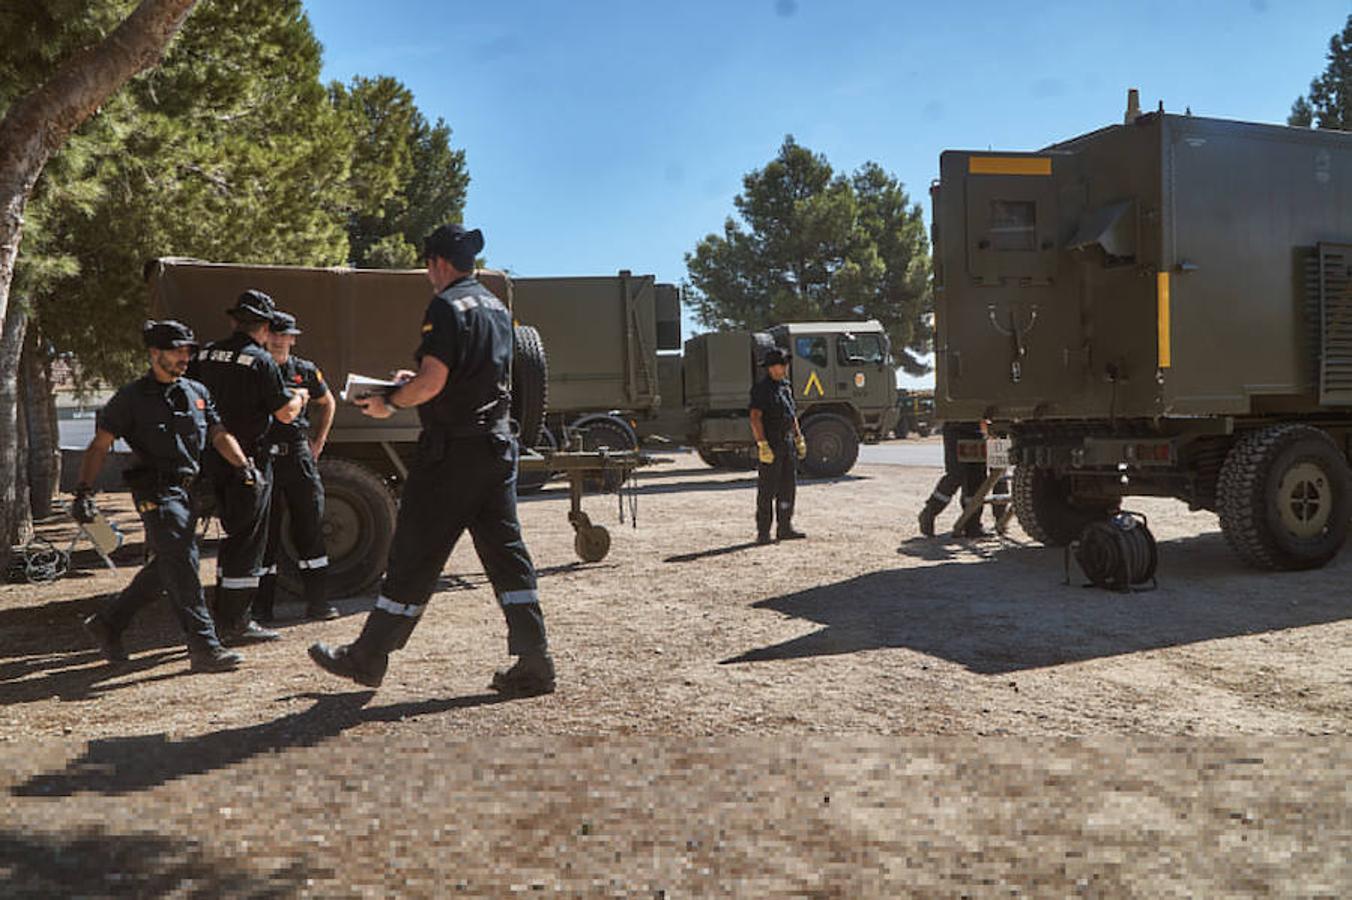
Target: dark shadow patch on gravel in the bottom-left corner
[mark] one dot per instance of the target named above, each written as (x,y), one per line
(95,863)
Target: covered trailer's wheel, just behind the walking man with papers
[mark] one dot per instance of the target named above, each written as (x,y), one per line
(359,525)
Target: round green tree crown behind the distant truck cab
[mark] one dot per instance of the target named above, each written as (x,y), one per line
(819,245)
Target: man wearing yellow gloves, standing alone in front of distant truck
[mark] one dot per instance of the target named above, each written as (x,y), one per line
(778,443)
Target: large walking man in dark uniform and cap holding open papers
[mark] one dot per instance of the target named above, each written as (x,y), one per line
(464,478)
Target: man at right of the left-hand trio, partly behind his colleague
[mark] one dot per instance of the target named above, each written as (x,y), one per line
(295,479)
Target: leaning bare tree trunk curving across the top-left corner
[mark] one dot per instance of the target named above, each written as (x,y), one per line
(33,129)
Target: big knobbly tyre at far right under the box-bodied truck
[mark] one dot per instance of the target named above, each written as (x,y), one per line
(1285,498)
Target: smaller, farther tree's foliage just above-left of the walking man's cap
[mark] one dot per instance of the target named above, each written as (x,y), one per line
(406,178)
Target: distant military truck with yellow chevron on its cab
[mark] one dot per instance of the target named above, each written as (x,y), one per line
(844,383)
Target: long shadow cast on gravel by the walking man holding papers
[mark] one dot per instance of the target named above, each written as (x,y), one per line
(128,766)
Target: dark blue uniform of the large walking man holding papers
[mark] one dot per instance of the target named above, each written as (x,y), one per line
(464,478)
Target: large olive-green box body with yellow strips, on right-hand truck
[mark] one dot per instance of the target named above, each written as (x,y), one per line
(1169,268)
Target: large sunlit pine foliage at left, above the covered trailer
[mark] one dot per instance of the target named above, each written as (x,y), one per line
(229,151)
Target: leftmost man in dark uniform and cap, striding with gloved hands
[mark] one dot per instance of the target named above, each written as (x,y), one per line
(168,421)
